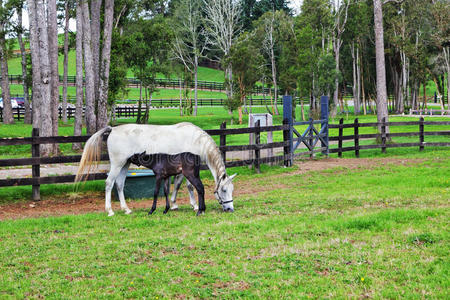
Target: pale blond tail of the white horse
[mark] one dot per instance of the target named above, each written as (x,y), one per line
(91,153)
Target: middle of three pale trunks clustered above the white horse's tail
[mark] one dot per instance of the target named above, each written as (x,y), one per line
(91,123)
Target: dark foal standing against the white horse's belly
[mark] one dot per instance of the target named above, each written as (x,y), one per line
(165,165)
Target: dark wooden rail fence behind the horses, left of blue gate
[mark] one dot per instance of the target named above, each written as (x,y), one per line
(36,160)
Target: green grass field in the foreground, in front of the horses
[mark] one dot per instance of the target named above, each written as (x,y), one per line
(379,230)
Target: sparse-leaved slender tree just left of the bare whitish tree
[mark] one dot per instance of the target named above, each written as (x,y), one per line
(191,41)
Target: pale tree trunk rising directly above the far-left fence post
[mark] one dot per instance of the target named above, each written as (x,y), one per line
(36,65)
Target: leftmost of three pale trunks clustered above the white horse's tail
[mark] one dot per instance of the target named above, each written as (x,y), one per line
(78,123)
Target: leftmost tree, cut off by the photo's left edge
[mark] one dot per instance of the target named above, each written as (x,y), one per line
(5,15)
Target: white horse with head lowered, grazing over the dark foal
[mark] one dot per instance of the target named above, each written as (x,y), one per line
(125,140)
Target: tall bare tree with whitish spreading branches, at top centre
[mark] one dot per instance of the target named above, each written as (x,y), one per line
(223,26)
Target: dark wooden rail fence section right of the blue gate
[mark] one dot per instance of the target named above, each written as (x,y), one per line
(384,137)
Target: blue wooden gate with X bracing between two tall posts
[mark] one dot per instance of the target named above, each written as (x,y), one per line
(311,136)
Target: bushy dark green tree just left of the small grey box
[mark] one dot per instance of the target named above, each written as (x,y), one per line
(247,69)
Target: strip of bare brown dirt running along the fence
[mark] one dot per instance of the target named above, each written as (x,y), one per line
(94,202)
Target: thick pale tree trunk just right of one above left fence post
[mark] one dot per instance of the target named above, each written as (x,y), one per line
(53,57)
